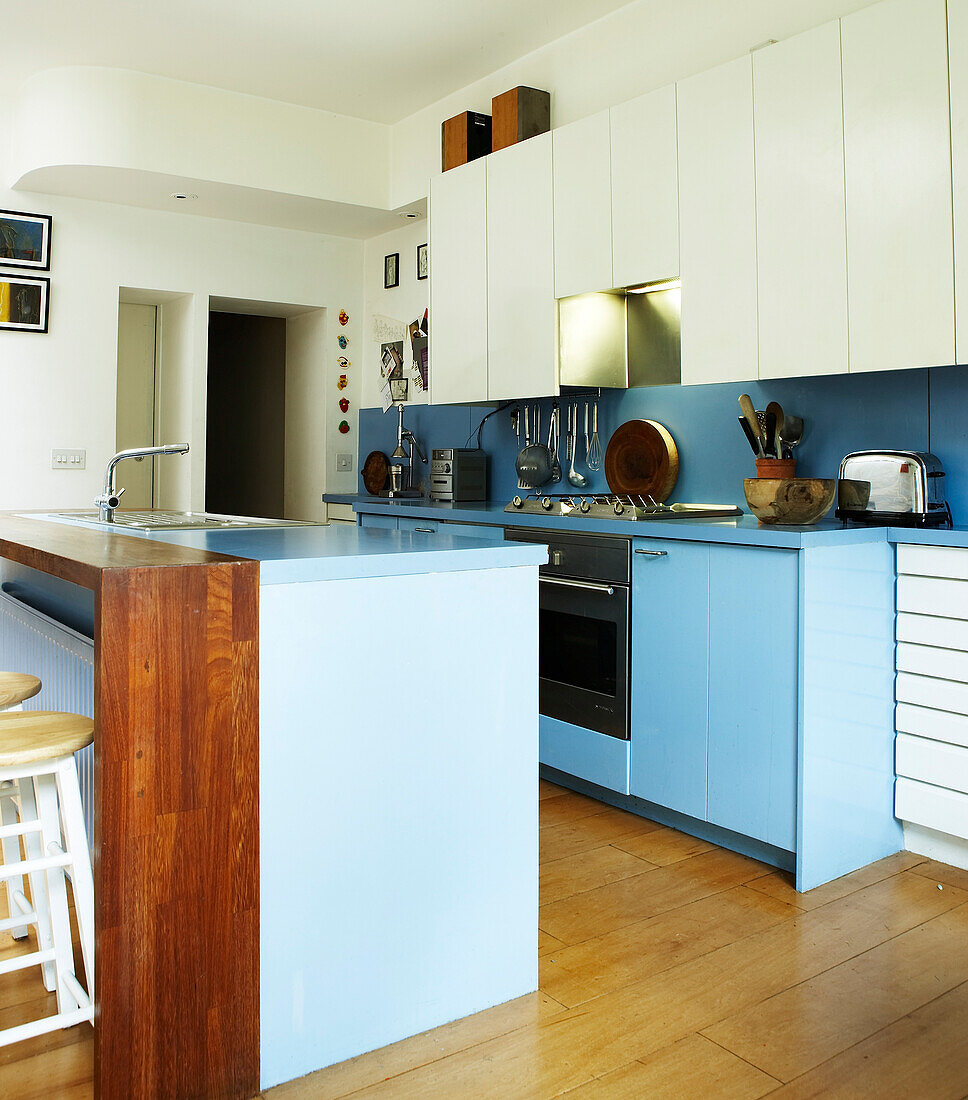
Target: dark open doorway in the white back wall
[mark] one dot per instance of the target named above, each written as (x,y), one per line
(246,420)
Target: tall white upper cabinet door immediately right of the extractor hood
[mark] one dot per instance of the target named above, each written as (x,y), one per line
(718,225)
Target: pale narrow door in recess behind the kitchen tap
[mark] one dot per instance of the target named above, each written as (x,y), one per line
(136,409)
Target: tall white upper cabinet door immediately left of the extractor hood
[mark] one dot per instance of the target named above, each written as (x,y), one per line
(521,272)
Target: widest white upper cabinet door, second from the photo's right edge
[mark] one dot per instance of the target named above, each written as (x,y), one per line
(897,141)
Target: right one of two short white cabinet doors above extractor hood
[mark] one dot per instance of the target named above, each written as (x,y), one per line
(645,190)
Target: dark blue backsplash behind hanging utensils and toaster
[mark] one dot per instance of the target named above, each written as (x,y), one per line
(918,411)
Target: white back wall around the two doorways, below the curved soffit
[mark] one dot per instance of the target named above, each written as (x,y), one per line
(60,389)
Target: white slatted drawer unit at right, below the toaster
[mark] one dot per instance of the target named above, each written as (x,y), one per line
(932,689)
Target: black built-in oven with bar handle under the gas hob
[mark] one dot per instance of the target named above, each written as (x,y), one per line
(585,630)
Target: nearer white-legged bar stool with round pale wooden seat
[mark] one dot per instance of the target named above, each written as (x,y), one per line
(37,752)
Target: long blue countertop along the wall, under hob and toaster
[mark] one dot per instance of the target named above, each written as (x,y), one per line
(744,531)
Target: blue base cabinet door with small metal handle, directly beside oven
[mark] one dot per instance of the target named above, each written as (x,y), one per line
(670,672)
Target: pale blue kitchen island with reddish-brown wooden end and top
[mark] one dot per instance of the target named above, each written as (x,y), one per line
(315,806)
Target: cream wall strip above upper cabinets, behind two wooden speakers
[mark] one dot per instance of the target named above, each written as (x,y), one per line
(639,48)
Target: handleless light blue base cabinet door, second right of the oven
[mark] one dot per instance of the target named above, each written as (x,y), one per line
(753,685)
